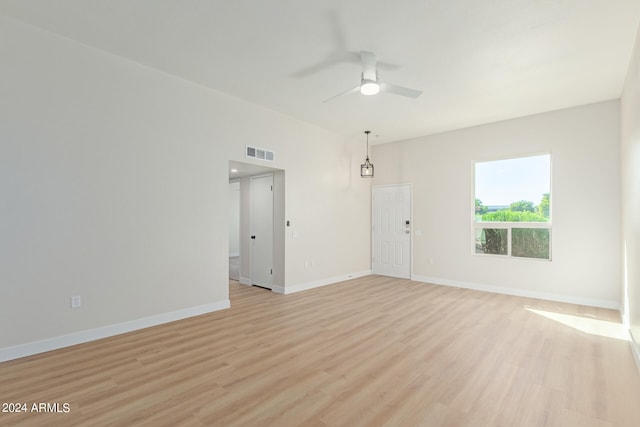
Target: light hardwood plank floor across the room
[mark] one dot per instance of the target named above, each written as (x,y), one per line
(368,352)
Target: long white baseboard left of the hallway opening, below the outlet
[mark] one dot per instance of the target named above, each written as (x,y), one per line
(35,347)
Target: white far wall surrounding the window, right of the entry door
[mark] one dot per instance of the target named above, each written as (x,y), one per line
(584,145)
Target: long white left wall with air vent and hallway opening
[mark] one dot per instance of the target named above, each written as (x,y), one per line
(113,178)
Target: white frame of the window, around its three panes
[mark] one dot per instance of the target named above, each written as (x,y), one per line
(509,225)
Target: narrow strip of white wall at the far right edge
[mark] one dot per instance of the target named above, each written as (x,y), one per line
(630,173)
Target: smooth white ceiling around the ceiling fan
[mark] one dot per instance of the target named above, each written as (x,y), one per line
(476,61)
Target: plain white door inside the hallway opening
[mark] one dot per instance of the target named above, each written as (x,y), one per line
(262,230)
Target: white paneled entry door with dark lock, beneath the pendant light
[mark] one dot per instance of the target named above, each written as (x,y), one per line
(392,230)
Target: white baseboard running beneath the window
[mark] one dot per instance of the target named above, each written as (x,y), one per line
(614,305)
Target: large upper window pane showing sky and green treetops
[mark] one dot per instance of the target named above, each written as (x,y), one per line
(513,190)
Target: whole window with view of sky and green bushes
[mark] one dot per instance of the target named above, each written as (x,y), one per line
(512,209)
